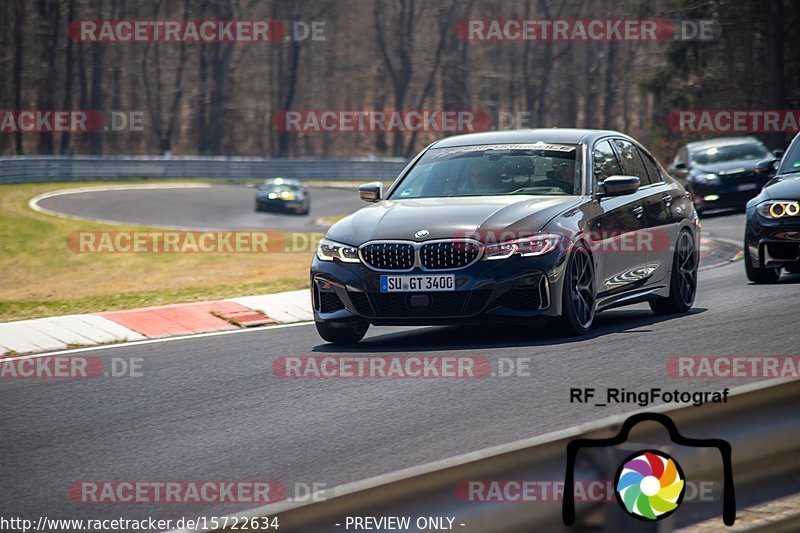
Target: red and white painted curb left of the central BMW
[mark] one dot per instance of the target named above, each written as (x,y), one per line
(71,331)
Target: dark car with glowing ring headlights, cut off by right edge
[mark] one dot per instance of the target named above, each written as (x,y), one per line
(772,230)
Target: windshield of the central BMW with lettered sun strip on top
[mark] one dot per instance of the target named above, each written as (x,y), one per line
(493,170)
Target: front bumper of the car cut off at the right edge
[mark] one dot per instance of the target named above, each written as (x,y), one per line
(772,243)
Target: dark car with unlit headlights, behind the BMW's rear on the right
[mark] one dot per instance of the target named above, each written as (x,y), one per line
(720,173)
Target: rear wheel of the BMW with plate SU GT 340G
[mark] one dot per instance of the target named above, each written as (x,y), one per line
(682,280)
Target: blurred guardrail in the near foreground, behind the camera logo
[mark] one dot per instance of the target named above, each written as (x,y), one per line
(761,422)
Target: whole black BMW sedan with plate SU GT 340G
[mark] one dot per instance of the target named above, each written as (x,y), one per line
(509,226)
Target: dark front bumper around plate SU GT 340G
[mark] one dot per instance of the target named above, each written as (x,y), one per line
(513,288)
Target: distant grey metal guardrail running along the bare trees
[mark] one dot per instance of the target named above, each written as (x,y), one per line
(25,169)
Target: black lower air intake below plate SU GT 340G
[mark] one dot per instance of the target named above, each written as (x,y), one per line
(463,303)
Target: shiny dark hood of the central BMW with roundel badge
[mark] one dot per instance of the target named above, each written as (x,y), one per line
(448,217)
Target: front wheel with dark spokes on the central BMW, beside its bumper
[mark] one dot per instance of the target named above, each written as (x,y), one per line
(578,298)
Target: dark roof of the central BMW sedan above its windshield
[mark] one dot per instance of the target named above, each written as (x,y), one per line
(549,135)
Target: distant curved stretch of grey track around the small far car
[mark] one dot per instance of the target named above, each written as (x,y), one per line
(218,207)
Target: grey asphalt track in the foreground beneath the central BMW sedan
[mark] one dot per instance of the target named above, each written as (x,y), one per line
(210,408)
